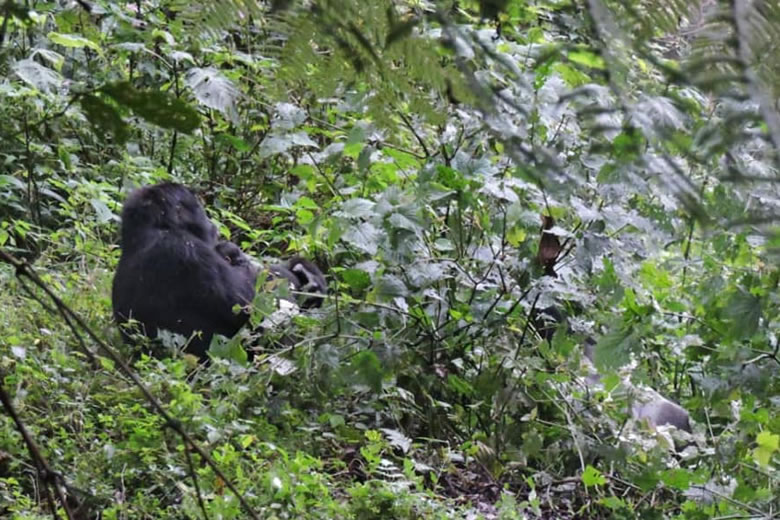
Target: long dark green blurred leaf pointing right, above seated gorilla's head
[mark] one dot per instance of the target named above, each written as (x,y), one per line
(159,108)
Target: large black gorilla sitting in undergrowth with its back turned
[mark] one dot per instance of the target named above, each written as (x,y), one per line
(174,275)
